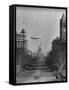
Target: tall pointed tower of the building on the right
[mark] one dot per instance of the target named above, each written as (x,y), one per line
(63,27)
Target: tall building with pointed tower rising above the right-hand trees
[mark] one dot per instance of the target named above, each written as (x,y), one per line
(60,43)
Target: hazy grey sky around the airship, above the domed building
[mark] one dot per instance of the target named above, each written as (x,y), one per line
(39,22)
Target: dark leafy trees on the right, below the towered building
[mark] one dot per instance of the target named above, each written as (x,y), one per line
(56,61)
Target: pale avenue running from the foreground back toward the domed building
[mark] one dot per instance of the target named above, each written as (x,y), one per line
(37,75)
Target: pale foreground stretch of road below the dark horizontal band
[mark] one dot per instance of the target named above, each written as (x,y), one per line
(35,76)
